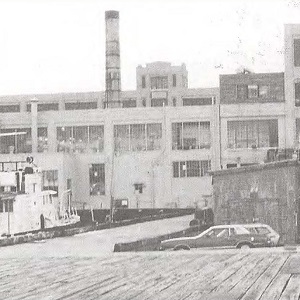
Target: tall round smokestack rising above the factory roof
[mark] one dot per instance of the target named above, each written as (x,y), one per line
(113,74)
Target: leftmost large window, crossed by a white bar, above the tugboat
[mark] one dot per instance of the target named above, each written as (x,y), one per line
(17,140)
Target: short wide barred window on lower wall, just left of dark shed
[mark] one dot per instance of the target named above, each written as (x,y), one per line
(192,168)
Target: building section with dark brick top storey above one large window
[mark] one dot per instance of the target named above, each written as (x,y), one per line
(253,118)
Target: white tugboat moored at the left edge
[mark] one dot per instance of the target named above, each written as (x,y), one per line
(25,207)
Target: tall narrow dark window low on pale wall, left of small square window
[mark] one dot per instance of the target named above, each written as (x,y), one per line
(97,179)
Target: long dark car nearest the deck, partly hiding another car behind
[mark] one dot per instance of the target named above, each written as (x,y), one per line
(221,236)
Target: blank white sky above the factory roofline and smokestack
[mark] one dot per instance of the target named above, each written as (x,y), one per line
(59,46)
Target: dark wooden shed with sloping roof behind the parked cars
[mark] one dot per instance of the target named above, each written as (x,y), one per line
(266,193)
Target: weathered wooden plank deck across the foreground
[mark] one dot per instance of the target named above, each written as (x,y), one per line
(262,274)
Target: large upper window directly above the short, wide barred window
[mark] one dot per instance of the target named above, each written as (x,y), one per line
(191,135)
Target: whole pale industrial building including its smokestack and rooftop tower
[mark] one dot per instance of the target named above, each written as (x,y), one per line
(153,146)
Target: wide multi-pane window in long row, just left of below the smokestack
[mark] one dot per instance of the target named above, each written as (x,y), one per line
(80,139)
